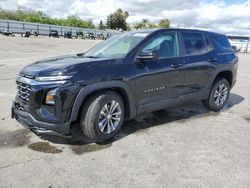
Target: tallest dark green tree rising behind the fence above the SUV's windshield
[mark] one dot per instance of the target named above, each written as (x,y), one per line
(117,20)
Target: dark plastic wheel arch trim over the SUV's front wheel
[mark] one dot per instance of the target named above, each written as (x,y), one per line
(117,86)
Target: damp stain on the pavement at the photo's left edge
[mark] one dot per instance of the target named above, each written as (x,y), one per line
(15,138)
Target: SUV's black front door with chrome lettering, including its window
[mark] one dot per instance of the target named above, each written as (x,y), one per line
(160,79)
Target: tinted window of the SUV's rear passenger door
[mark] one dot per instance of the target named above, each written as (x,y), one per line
(194,43)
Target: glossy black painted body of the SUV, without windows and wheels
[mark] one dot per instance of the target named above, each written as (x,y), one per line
(145,86)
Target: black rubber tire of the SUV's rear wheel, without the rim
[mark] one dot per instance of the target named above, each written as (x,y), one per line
(210,103)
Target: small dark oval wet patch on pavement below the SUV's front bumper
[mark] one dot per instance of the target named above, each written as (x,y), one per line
(44,147)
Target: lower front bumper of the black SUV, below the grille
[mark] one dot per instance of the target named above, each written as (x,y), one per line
(39,127)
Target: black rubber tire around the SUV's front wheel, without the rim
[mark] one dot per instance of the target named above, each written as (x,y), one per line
(91,112)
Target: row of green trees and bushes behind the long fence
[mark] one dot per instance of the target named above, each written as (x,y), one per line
(116,20)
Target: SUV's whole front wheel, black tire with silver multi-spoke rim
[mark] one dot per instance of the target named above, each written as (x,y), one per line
(102,116)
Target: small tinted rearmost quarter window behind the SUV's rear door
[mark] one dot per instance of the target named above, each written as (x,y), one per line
(220,42)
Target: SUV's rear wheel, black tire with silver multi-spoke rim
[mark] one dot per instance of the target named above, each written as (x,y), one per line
(218,95)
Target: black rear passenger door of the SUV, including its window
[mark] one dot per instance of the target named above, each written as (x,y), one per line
(200,61)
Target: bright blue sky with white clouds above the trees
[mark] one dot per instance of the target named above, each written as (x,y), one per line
(227,16)
